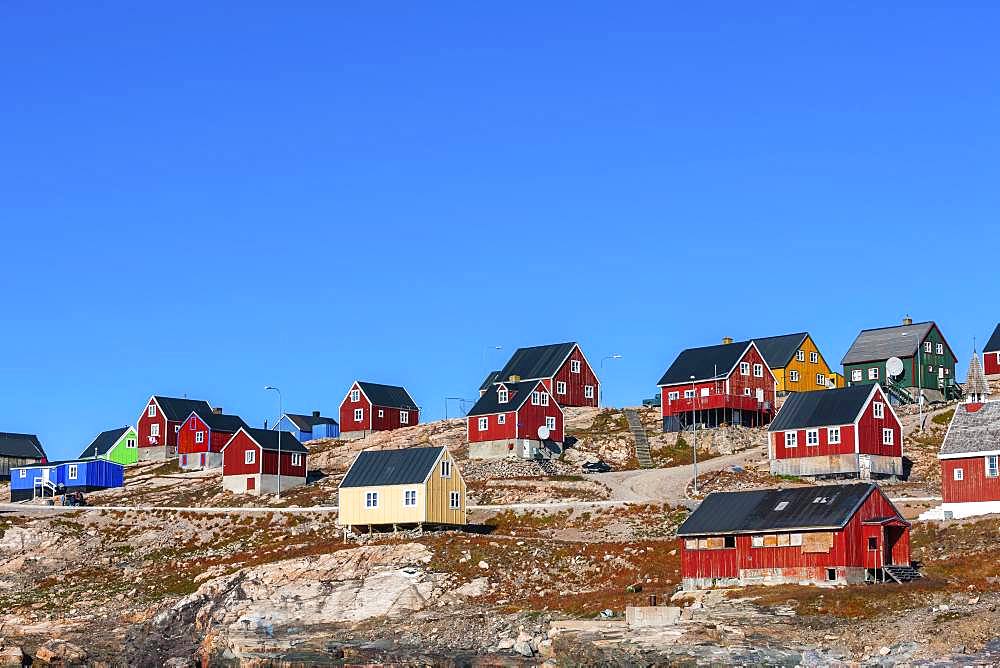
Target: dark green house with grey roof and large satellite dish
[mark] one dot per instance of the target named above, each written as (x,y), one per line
(927,361)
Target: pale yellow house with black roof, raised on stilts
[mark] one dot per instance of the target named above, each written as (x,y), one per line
(410,486)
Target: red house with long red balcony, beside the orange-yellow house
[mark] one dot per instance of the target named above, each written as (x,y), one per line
(725,384)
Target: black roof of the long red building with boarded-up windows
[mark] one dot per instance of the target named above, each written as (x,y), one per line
(755,511)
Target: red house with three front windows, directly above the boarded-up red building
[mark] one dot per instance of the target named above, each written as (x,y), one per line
(850,431)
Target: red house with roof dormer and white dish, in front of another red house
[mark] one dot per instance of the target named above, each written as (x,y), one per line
(519,419)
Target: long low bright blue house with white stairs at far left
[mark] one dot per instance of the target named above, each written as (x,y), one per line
(54,478)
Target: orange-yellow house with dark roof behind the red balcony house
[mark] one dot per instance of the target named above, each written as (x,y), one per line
(797,363)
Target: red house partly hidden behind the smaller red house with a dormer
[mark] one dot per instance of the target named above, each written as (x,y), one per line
(563,368)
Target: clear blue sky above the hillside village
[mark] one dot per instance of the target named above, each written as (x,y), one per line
(202,201)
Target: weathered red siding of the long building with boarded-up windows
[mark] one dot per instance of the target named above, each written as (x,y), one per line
(849,548)
